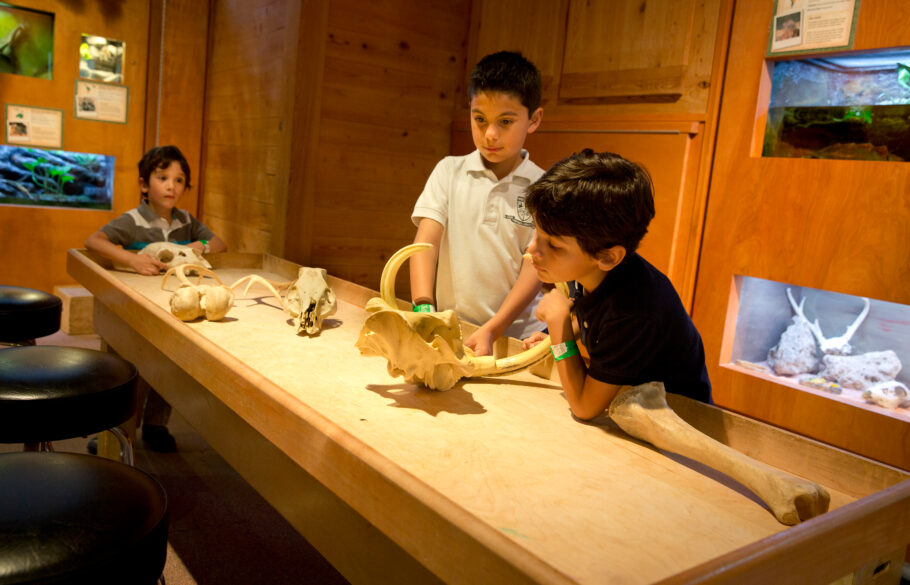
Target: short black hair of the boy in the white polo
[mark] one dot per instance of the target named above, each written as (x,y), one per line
(507,72)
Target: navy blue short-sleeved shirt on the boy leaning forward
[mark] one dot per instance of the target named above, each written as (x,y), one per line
(636,330)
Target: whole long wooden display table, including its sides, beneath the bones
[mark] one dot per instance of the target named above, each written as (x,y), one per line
(490,482)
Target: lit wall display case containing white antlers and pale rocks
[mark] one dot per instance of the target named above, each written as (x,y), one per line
(871,345)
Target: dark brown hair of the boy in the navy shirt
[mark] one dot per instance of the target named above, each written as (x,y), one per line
(600,199)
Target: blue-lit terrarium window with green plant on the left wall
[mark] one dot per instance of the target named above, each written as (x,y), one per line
(55,178)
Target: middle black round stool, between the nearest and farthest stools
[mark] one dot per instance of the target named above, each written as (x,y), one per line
(49,393)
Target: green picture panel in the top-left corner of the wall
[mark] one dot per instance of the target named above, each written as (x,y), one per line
(26,41)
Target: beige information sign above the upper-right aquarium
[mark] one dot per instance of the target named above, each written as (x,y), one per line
(812,26)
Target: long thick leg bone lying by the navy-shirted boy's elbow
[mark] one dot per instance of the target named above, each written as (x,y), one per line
(642,412)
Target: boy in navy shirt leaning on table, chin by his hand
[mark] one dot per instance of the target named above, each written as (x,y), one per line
(591,211)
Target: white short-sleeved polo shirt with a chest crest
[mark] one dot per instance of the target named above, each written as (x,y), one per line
(487,230)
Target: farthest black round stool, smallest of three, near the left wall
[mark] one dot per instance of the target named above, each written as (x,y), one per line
(27,314)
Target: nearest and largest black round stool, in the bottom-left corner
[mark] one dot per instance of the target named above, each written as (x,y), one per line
(69,518)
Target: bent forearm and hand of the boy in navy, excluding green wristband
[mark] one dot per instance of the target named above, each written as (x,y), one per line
(587,397)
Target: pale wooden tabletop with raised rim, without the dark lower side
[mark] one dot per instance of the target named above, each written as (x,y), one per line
(493,473)
